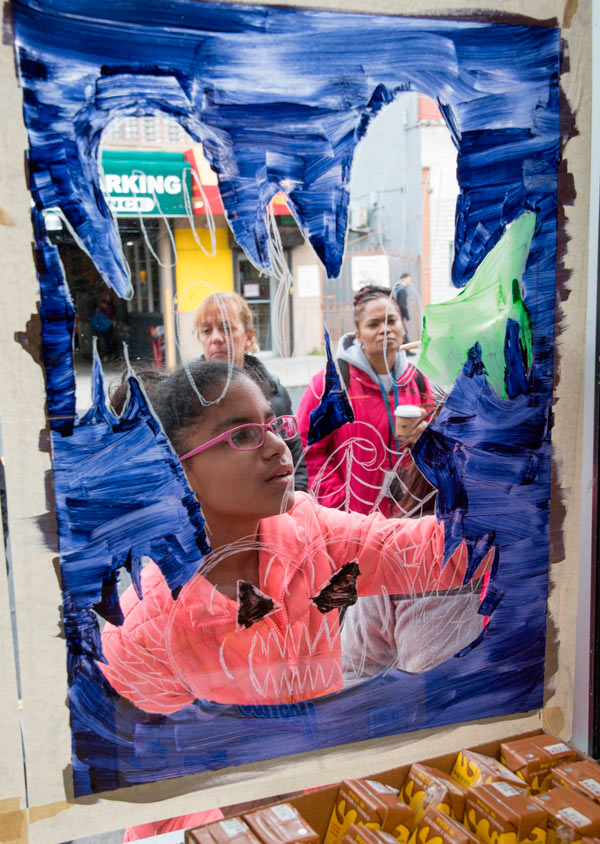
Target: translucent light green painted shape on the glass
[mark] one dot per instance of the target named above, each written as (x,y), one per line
(480,311)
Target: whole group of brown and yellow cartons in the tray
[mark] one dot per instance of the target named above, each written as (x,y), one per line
(537,791)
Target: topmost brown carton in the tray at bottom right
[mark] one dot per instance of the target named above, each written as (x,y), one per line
(533,758)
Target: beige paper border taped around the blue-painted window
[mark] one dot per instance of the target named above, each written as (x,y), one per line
(54,816)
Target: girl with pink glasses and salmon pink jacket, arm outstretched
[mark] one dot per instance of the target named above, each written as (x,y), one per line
(259,623)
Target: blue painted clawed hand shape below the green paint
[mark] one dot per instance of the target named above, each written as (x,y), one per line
(489,458)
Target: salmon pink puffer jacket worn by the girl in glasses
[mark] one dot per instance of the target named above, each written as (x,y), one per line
(168,652)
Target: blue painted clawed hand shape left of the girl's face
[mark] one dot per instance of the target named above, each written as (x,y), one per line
(121,494)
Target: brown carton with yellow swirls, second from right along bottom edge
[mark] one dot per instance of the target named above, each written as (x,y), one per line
(499,813)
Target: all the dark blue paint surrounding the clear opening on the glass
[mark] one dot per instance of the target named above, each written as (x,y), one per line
(279,98)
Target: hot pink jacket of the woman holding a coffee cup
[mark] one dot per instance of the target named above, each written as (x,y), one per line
(367,442)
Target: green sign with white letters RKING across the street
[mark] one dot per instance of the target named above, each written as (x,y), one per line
(146,183)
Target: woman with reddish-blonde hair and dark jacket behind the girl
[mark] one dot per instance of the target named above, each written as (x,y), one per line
(224,320)
